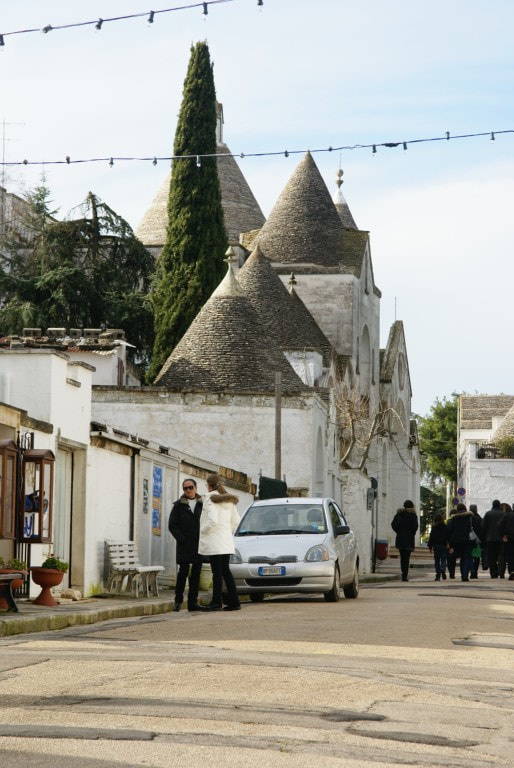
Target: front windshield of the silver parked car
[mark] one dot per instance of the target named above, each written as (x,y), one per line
(282,519)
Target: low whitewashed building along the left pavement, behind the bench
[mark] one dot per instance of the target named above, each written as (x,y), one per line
(108,484)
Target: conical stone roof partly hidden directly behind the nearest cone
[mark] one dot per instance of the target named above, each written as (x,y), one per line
(284,314)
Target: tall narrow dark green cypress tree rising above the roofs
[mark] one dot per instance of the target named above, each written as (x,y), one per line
(191,263)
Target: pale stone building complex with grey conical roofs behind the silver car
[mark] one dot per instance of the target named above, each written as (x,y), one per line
(303,303)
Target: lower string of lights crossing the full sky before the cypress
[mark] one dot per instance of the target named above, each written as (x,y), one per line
(68,160)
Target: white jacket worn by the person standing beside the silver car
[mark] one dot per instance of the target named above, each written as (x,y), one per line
(219,518)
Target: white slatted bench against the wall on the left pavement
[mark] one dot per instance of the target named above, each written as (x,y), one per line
(126,572)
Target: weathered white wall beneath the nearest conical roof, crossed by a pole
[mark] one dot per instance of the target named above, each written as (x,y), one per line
(233,431)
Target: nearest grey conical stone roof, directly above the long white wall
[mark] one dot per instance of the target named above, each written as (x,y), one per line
(227,349)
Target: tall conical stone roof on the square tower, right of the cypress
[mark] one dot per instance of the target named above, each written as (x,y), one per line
(304,226)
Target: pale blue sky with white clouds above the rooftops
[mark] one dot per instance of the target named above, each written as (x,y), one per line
(296,75)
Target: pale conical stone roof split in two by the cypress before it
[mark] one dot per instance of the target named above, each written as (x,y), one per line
(241,210)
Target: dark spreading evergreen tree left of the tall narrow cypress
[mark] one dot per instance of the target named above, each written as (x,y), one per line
(89,271)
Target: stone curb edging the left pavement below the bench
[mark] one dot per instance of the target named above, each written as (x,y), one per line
(17,624)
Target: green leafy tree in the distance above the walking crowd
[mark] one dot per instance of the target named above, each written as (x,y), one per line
(438,440)
